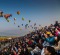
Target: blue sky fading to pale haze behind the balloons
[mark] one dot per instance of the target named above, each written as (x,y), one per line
(43,12)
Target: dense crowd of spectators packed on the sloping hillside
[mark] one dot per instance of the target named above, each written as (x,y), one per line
(45,41)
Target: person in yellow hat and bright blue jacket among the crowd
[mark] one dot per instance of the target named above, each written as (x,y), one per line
(50,38)
